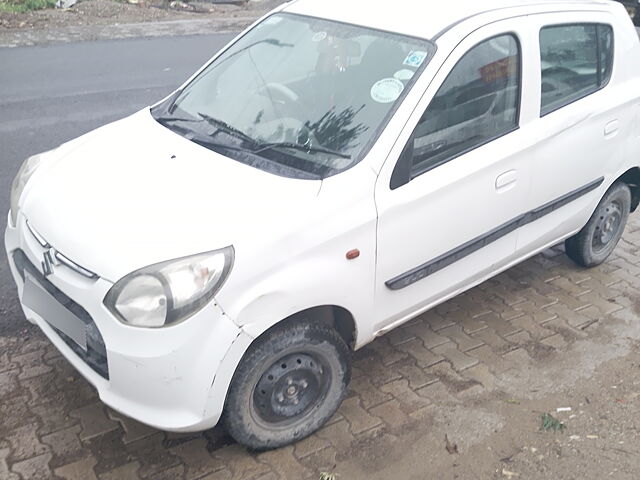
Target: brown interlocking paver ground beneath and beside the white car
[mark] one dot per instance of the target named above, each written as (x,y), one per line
(525,337)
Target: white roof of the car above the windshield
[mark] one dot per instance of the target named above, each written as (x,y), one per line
(421,18)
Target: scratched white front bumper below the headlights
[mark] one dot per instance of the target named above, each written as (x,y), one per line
(160,377)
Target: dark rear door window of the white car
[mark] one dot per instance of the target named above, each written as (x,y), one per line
(576,61)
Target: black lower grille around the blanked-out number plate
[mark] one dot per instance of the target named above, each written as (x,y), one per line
(96,354)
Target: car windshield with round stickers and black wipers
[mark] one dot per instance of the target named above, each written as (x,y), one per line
(297,96)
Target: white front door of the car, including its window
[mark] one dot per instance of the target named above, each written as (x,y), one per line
(449,204)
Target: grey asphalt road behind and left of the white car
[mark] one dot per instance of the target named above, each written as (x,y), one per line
(51,94)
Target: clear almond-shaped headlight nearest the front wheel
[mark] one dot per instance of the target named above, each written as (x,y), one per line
(169,292)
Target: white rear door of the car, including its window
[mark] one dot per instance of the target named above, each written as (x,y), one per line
(584,119)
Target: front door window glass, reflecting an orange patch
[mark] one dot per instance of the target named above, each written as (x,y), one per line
(477,103)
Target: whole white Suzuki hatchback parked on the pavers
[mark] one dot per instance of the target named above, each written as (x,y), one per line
(338,169)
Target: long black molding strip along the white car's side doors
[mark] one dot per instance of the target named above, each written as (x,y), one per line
(416,274)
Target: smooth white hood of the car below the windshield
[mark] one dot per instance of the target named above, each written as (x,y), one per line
(134,193)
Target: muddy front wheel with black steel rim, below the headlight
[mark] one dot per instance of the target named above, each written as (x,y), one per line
(288,385)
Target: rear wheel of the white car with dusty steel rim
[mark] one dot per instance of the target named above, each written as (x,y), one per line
(598,239)
